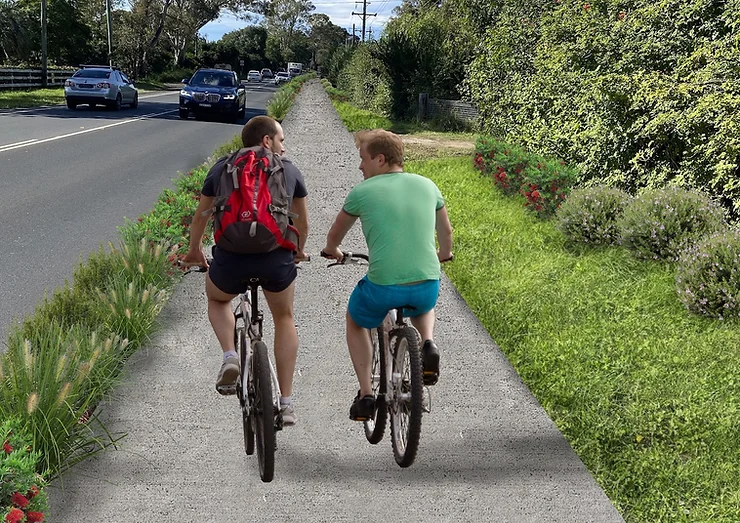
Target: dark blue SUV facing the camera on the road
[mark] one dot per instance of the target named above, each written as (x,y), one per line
(215,91)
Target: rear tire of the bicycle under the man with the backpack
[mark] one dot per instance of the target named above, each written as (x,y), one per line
(263,413)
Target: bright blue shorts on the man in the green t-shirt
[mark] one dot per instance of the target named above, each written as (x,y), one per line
(369,303)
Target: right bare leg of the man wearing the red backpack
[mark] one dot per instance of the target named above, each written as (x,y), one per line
(286,337)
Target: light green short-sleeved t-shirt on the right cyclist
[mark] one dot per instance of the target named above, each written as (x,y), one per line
(398,216)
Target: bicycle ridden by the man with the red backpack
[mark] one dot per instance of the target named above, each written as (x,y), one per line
(257,387)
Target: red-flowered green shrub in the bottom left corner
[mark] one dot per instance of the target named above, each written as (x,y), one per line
(22,499)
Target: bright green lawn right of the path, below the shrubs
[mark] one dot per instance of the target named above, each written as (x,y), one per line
(647,394)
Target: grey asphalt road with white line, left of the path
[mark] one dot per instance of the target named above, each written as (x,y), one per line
(70,178)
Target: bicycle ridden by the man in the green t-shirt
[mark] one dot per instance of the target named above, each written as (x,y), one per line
(397,380)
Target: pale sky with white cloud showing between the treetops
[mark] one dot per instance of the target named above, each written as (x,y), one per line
(339,11)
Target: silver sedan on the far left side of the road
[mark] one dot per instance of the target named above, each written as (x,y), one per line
(100,85)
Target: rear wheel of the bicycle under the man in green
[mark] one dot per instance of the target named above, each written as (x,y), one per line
(407,405)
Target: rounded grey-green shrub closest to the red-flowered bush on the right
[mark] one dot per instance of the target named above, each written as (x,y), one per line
(589,215)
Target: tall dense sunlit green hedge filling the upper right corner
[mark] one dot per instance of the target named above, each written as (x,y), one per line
(636,95)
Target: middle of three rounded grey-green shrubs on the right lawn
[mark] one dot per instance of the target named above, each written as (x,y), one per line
(659,223)
